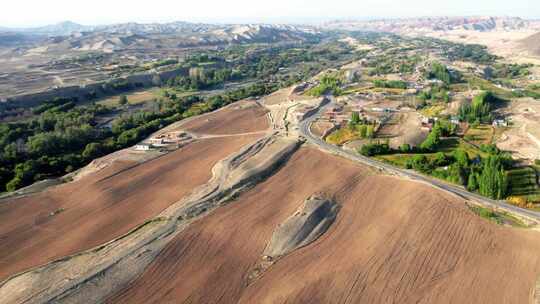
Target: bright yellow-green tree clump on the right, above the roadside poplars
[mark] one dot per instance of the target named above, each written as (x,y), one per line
(479,110)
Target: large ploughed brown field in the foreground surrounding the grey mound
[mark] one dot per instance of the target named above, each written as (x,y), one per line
(393,241)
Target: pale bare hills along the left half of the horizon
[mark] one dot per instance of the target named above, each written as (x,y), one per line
(108,38)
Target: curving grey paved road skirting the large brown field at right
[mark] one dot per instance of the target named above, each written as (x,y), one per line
(304,129)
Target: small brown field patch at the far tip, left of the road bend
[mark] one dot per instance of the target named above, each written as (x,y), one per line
(240,117)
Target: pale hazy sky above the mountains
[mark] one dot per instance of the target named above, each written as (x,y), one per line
(40,12)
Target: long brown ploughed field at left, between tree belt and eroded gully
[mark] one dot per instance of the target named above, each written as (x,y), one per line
(104,205)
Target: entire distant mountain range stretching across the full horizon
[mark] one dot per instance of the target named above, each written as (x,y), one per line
(108,38)
